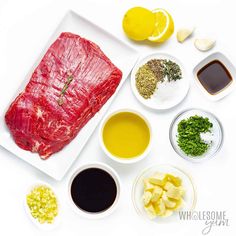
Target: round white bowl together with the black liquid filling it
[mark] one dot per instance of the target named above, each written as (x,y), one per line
(94,190)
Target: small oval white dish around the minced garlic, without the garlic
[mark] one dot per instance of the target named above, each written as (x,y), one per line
(44,226)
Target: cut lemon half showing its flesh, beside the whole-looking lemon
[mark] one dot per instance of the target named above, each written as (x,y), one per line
(164,26)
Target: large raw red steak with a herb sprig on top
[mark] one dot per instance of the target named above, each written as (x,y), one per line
(69,86)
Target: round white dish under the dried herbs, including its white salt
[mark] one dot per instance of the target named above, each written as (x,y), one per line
(169,94)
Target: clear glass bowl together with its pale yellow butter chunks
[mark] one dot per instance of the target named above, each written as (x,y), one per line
(162,190)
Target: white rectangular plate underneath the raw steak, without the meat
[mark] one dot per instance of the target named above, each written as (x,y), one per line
(123,56)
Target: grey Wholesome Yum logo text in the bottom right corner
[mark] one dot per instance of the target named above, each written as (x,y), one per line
(210,218)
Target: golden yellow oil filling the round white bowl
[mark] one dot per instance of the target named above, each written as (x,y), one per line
(126,135)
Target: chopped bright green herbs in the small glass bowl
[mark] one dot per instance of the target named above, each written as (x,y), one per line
(189,135)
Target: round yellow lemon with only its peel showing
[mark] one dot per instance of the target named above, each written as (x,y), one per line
(138,23)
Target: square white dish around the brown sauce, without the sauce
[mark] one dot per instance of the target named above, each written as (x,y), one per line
(230,67)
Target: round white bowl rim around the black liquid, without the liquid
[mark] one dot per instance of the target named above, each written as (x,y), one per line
(98,215)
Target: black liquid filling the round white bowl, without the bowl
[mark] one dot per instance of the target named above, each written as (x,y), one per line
(93,190)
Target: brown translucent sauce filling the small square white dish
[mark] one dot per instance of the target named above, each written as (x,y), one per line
(214,77)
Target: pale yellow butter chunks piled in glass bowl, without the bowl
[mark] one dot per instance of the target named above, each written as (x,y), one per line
(163,194)
